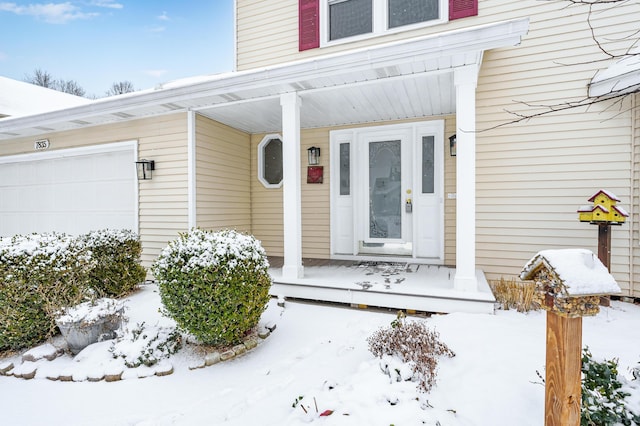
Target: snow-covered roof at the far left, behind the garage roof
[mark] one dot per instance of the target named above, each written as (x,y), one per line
(18,98)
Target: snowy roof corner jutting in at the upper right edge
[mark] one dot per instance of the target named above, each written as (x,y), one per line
(621,77)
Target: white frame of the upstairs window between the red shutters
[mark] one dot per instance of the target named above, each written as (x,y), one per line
(380,12)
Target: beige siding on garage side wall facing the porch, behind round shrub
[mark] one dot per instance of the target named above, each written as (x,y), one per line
(223,161)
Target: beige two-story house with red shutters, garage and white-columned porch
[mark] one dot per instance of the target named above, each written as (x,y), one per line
(362,130)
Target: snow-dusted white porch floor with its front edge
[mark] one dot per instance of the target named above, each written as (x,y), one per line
(397,285)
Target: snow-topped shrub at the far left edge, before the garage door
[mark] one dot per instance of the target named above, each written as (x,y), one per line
(39,275)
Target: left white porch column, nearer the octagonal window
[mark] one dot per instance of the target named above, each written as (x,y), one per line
(291,195)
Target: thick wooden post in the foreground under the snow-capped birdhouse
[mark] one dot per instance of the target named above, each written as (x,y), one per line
(563,370)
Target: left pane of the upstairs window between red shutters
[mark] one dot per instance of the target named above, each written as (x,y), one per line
(349,18)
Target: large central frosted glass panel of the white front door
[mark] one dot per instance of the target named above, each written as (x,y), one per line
(385,219)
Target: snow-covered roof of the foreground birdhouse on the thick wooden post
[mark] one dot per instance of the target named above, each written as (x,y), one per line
(580,270)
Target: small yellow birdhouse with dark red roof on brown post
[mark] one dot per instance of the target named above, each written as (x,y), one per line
(603,212)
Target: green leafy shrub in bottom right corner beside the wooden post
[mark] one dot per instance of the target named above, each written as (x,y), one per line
(603,400)
